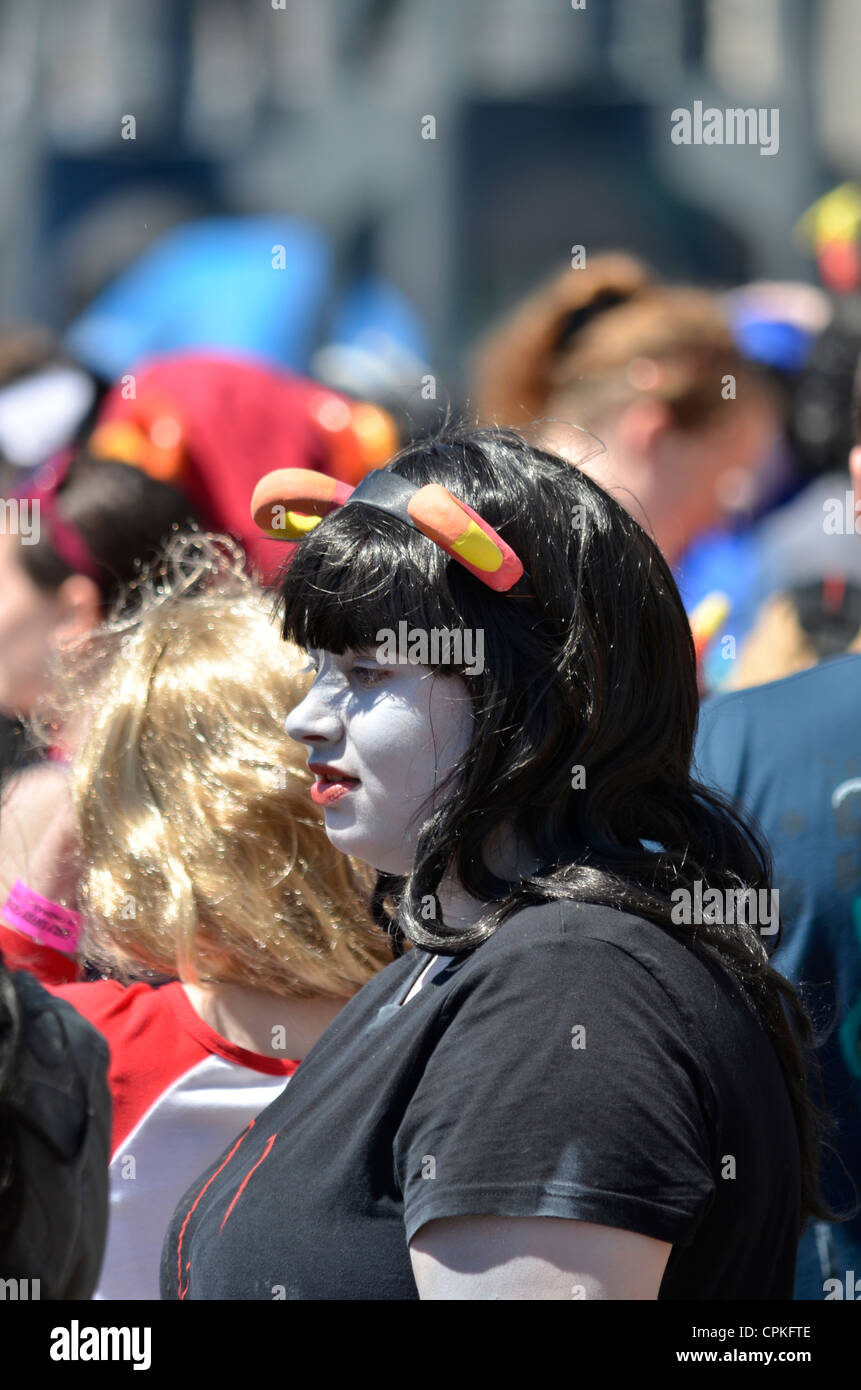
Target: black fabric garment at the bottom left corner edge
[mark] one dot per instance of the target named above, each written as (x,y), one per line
(62,1118)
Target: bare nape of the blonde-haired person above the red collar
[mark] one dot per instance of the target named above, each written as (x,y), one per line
(262,1022)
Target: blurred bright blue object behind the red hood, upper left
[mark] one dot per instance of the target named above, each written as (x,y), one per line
(261,287)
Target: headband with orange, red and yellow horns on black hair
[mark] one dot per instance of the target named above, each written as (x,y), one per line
(291,502)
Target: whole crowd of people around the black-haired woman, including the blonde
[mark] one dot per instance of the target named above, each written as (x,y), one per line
(134,597)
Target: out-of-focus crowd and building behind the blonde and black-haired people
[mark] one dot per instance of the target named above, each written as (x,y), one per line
(241,236)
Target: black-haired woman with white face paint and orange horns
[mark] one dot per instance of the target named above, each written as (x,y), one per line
(532,1103)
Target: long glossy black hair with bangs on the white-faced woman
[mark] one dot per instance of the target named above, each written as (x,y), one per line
(585,717)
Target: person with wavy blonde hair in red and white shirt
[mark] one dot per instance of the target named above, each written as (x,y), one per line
(204,865)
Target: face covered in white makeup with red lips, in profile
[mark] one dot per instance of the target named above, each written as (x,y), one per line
(386,737)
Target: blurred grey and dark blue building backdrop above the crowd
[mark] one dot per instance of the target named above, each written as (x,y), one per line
(552,129)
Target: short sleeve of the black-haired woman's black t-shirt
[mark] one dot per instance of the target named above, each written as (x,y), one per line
(564,1084)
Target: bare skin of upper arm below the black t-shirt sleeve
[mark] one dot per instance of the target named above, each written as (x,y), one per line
(535,1259)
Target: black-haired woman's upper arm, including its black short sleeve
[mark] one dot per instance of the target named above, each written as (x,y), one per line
(560,1139)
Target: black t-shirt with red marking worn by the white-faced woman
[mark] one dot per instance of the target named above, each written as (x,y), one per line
(582,1064)
